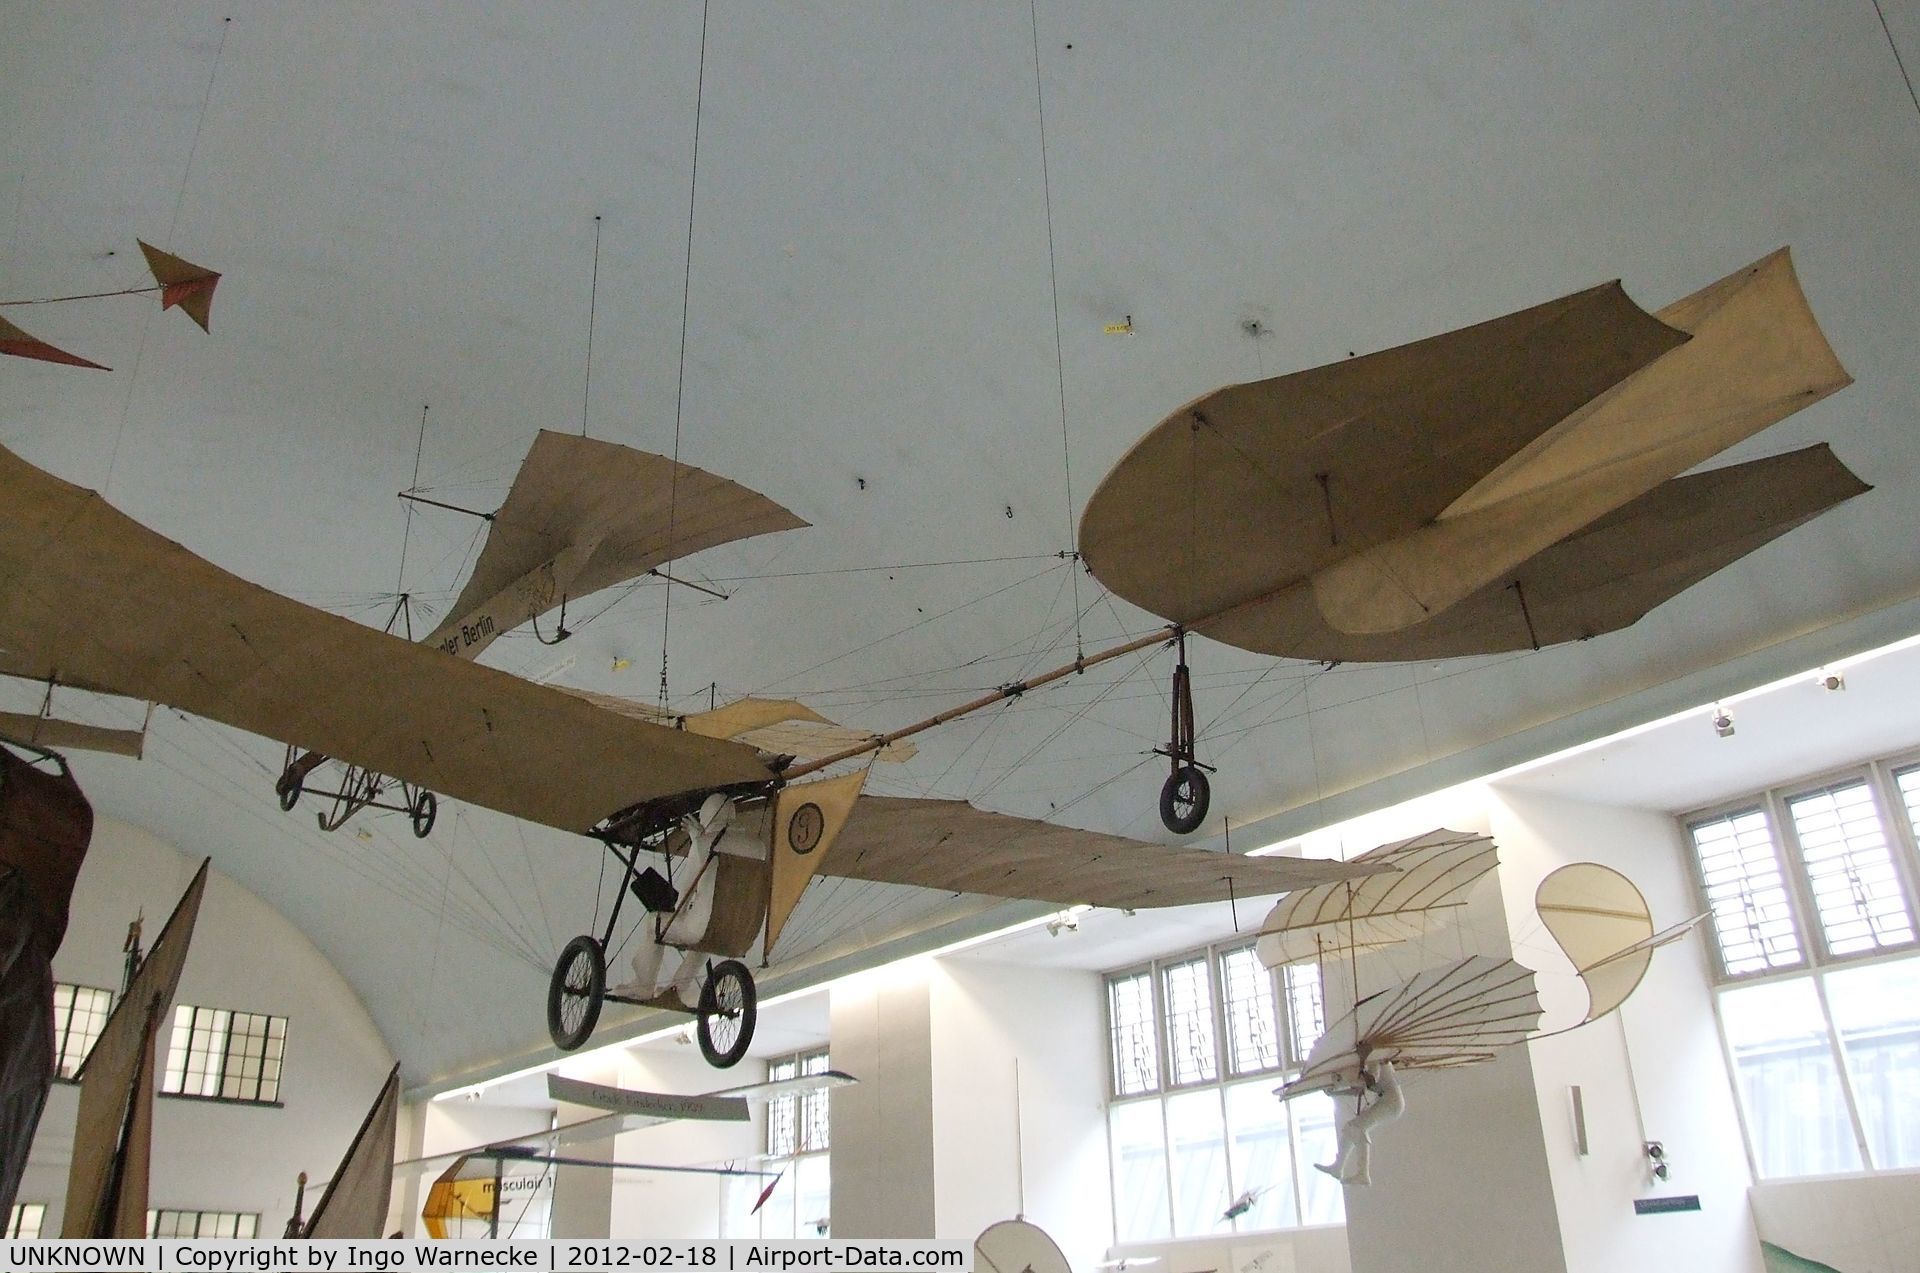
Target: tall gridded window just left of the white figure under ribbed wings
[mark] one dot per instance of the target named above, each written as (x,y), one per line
(1199,1044)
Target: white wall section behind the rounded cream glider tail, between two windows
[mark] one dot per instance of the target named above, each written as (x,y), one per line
(1662,1044)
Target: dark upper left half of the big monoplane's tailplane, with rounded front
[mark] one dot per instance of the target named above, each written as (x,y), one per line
(1230,498)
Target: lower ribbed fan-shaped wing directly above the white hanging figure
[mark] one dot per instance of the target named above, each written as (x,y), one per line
(1445,1017)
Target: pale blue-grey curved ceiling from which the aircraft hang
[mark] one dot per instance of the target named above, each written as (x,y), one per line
(402,203)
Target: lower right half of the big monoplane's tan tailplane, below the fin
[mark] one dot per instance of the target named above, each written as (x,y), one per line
(1598,581)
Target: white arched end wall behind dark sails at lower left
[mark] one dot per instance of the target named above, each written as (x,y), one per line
(212,1155)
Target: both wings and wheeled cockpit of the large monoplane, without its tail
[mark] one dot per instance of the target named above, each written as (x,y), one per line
(93,600)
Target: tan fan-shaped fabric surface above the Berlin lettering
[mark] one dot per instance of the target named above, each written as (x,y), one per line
(635,510)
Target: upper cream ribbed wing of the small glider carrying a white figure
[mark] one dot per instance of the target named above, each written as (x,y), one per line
(1429,875)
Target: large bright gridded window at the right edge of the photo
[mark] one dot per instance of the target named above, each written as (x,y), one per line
(1813,919)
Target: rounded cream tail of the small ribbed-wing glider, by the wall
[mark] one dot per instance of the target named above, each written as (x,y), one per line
(1606,928)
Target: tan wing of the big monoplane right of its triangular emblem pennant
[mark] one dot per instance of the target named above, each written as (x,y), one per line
(957,848)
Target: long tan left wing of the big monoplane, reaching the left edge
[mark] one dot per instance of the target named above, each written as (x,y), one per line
(89,596)
